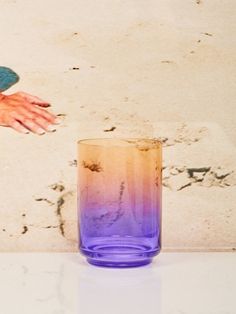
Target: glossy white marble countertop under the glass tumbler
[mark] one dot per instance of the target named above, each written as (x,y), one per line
(176,283)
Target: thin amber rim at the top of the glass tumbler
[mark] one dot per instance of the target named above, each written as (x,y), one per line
(88,141)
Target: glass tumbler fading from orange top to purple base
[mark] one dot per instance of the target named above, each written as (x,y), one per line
(119,201)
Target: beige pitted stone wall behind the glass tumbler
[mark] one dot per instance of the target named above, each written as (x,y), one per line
(163,68)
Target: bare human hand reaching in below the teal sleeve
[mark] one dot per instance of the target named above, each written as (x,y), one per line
(22,112)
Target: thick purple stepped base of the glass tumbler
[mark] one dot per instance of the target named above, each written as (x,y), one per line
(119,254)
